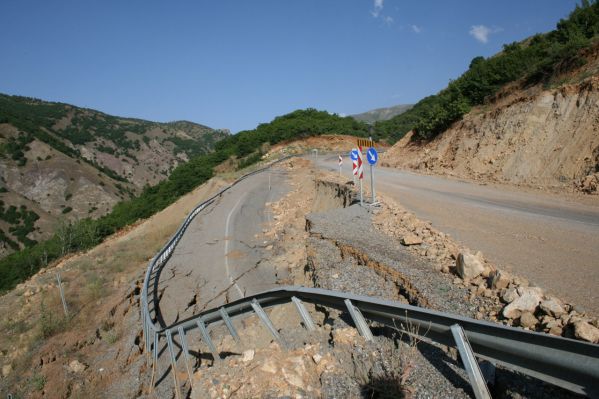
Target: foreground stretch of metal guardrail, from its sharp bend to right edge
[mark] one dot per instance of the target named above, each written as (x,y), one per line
(568,363)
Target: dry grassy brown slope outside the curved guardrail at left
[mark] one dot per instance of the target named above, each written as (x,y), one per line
(35,322)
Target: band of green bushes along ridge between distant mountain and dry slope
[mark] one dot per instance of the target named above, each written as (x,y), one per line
(248,146)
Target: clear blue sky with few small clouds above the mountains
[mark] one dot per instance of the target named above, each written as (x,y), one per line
(234,64)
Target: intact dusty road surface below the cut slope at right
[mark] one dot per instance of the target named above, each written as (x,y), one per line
(552,241)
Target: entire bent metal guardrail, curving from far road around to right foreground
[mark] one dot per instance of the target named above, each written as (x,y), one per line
(571,364)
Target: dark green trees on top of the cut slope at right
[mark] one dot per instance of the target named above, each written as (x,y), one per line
(538,59)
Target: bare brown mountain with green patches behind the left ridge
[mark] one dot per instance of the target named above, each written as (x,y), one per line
(59,161)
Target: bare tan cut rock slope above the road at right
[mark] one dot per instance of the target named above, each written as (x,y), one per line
(526,136)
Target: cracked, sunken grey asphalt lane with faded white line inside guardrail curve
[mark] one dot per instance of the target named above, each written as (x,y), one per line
(219,258)
